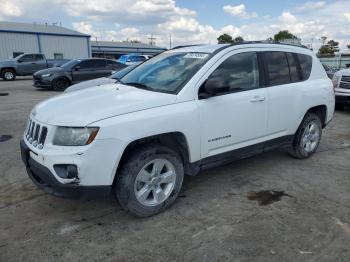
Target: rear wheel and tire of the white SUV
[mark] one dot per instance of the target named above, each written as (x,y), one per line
(307,138)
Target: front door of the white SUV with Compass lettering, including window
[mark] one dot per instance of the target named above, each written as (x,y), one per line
(237,117)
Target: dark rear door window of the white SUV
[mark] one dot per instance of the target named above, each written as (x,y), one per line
(277,68)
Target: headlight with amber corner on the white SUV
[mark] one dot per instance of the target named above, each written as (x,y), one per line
(74,136)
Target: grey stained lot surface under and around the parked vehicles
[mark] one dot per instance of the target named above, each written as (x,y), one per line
(212,220)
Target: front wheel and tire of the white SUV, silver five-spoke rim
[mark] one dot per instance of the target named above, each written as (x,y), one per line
(129,188)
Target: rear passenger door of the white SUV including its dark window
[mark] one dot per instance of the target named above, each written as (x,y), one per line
(284,81)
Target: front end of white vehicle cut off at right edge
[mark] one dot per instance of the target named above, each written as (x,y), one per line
(341,82)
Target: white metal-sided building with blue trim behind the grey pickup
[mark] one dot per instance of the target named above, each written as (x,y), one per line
(55,42)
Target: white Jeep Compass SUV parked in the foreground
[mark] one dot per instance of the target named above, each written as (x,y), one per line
(182,111)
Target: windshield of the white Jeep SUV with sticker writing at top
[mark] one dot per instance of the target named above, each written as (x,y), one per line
(167,72)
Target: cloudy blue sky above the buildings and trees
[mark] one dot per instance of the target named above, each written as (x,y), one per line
(189,21)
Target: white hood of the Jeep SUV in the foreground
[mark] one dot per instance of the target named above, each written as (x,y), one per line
(83,107)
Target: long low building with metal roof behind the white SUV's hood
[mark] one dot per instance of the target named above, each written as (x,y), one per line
(116,49)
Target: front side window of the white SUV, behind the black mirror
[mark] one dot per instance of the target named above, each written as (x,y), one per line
(239,72)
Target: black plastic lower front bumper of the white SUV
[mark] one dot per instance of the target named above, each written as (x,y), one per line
(43,178)
